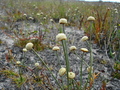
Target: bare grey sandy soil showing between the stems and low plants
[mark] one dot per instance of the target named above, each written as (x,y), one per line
(102,63)
